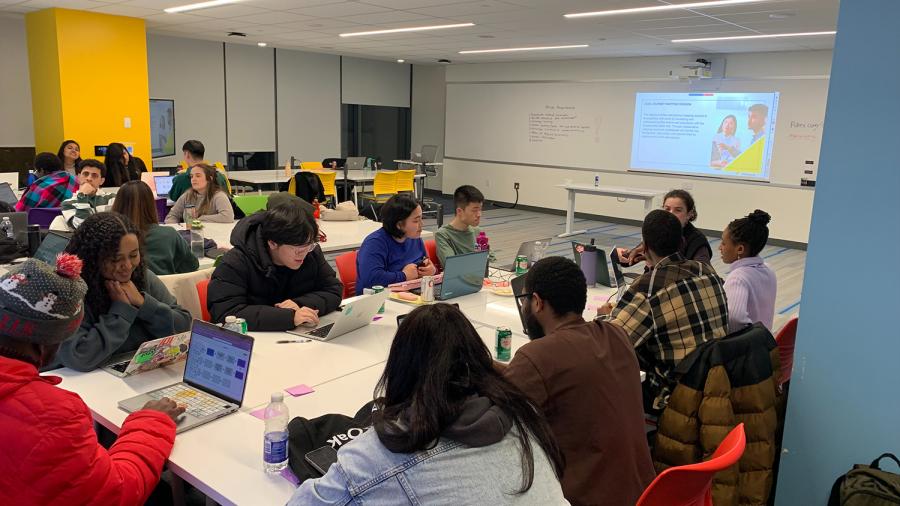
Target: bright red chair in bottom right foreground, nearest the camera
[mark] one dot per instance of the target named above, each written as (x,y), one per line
(691,485)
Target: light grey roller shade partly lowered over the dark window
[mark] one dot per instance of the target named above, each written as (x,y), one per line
(373,82)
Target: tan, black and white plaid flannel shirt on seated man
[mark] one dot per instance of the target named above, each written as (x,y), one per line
(669,311)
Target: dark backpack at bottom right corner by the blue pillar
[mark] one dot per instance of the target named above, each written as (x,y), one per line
(867,485)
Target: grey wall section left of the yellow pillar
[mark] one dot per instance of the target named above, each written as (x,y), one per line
(16,121)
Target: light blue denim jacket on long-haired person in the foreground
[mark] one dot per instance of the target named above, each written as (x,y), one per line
(451,473)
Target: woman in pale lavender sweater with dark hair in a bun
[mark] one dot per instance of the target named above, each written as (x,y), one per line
(751,285)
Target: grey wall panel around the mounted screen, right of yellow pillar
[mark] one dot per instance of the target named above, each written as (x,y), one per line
(190,72)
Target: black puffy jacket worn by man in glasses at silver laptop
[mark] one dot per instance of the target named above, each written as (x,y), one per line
(248,285)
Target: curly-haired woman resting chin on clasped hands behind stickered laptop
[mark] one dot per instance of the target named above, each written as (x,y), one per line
(126,304)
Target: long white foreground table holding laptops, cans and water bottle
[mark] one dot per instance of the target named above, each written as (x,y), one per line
(223,459)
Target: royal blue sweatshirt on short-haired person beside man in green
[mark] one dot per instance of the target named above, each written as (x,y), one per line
(381,259)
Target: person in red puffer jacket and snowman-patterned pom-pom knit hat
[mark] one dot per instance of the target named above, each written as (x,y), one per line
(50,450)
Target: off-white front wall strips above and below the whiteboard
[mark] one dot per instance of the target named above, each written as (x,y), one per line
(718,201)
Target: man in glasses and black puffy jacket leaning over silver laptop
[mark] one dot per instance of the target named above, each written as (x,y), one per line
(276,276)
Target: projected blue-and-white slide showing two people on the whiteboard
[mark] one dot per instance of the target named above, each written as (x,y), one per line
(705,134)
